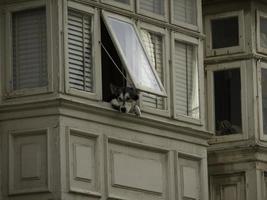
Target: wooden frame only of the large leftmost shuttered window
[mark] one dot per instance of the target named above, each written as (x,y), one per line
(10,92)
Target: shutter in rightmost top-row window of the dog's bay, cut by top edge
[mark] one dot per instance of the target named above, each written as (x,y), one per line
(185,11)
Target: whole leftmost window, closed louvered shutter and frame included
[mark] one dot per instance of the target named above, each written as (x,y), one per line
(28,59)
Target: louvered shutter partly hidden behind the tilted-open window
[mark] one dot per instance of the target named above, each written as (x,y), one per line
(153,44)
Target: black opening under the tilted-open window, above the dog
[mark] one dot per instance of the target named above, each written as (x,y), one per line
(110,73)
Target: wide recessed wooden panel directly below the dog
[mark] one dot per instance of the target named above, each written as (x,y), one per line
(136,172)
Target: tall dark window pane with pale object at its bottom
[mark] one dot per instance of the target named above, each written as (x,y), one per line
(227,89)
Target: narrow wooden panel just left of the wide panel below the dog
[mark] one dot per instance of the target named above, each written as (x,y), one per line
(83,162)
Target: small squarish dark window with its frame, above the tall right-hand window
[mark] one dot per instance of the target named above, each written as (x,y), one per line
(225,33)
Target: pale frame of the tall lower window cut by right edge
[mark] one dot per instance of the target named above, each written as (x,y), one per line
(259,67)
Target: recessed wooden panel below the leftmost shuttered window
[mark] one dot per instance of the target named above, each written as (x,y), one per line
(28,162)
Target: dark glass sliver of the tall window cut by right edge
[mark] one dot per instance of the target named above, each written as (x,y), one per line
(264,98)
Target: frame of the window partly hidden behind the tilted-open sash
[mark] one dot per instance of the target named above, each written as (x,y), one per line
(164,34)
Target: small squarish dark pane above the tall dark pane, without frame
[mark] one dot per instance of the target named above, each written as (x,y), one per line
(225,32)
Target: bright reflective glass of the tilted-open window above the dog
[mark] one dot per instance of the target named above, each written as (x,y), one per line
(136,60)
